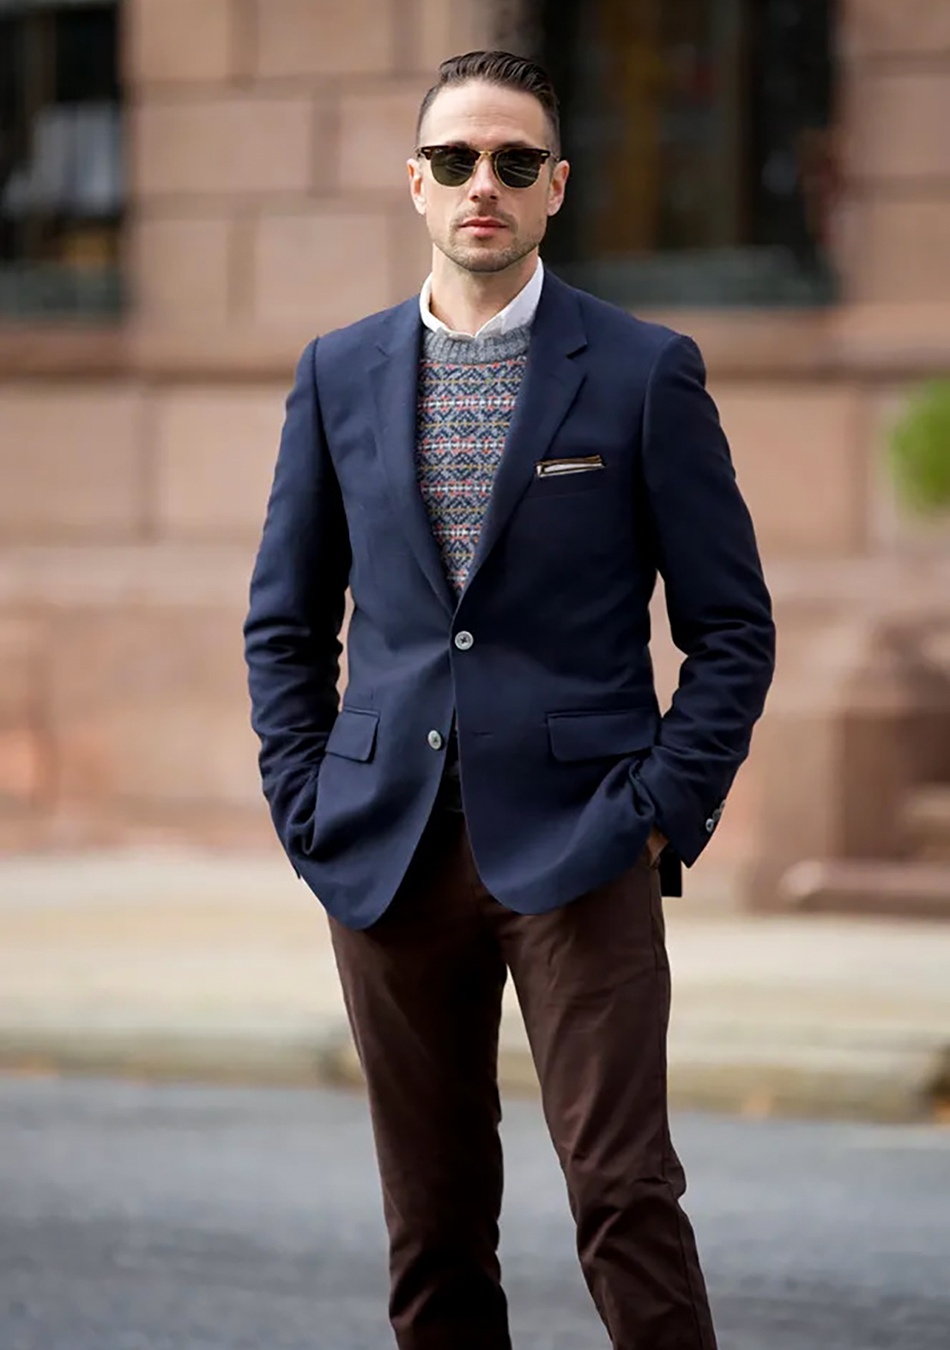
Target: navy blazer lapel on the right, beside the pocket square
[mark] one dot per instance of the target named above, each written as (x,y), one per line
(554,376)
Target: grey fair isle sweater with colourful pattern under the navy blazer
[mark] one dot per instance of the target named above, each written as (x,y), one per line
(466,399)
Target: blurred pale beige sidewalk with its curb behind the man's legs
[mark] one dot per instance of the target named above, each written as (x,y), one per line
(195,966)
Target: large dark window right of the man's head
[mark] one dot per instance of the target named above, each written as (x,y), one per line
(700,140)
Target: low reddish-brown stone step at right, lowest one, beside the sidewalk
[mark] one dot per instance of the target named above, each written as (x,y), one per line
(916,890)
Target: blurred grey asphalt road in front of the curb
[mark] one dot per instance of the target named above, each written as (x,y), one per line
(141,1217)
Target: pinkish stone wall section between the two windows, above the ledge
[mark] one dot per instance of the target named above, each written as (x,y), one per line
(269,157)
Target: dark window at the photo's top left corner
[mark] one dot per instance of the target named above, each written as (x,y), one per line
(61,179)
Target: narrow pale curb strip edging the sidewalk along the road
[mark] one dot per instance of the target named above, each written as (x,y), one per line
(906,1086)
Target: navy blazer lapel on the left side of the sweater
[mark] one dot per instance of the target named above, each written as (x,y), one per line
(395,381)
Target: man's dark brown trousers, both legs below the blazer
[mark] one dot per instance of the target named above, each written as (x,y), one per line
(424,989)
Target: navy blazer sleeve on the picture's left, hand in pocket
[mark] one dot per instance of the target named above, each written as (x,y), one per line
(298,600)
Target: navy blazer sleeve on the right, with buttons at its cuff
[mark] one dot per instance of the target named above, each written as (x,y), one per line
(717,600)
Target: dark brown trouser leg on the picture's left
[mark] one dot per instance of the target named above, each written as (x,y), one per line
(423,989)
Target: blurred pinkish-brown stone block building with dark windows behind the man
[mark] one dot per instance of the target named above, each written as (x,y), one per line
(190,190)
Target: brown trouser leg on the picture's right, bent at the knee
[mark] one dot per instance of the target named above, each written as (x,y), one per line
(593,981)
